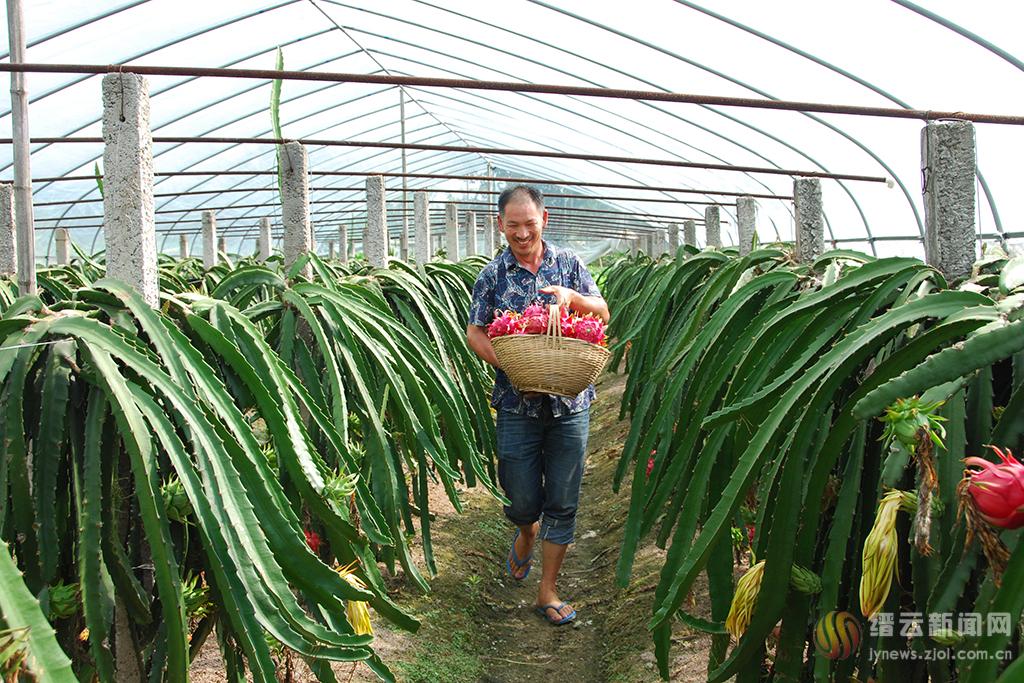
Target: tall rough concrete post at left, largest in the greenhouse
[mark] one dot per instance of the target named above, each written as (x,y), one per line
(130,226)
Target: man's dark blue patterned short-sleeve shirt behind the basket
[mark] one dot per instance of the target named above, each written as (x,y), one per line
(504,285)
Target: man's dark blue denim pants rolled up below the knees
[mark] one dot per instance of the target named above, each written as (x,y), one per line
(540,467)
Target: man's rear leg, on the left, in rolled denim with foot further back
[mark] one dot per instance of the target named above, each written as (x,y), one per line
(520,469)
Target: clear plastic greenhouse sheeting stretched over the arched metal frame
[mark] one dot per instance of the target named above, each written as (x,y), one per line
(870,54)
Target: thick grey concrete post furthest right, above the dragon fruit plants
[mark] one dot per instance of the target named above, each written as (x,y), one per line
(950,165)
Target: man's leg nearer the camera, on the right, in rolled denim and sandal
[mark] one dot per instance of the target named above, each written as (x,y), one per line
(565,452)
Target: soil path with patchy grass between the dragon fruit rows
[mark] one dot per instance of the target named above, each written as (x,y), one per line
(479,625)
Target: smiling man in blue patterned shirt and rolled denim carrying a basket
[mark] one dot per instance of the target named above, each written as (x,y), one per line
(542,440)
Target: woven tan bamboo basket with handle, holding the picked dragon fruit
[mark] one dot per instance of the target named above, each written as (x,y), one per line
(550,363)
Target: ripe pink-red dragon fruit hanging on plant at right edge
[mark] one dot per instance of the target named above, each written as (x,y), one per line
(998,489)
